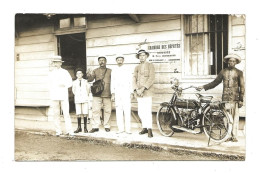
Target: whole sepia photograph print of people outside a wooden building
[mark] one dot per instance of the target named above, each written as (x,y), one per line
(129,87)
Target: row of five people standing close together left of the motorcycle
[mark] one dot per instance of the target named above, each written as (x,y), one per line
(119,86)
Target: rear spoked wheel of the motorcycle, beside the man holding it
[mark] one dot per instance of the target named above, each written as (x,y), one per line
(216,125)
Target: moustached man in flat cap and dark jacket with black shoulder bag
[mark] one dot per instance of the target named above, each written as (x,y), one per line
(105,98)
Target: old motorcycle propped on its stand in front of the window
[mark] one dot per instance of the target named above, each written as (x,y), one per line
(194,116)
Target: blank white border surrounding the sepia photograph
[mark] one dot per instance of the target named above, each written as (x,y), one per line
(10,7)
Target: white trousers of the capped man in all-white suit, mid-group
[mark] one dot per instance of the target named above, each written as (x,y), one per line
(123,112)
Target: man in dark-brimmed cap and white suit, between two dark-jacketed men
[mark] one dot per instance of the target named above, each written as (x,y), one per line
(121,87)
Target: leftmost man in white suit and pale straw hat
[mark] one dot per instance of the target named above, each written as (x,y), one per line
(60,81)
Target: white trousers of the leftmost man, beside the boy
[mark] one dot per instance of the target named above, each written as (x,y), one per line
(64,106)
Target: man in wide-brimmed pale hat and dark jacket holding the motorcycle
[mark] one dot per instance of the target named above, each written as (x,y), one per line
(233,89)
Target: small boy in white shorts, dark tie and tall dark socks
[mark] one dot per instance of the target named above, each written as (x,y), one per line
(82,94)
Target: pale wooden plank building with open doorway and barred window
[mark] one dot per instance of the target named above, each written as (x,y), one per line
(189,47)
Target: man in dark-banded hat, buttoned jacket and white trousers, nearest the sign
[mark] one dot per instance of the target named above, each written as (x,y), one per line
(143,80)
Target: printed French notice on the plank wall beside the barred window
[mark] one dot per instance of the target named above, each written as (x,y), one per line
(167,51)
